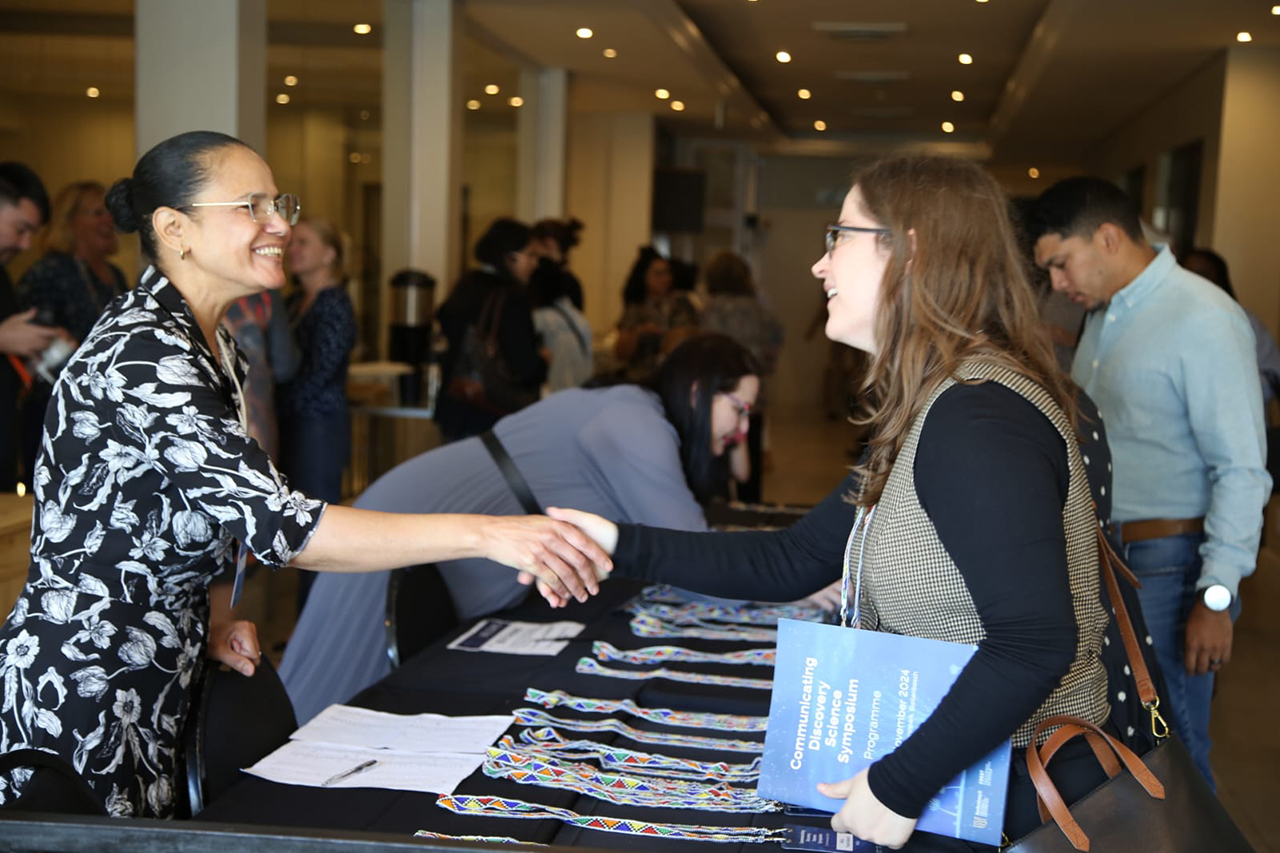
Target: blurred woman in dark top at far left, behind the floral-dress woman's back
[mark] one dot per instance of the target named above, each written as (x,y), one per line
(70,286)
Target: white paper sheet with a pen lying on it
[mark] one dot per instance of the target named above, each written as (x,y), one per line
(313,764)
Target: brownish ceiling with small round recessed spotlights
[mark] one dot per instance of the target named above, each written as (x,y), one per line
(1050,77)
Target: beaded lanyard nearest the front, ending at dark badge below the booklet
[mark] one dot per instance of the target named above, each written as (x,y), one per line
(518,809)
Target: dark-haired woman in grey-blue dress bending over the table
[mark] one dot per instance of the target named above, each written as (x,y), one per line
(652,454)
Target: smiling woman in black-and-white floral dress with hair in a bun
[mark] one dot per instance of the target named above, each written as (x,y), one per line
(147,477)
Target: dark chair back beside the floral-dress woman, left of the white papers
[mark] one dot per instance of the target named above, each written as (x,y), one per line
(234,723)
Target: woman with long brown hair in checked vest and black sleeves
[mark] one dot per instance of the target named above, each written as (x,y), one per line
(984,530)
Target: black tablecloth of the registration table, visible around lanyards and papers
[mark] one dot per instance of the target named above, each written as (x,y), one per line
(450,682)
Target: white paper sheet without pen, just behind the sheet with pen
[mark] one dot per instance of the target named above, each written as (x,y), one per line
(349,727)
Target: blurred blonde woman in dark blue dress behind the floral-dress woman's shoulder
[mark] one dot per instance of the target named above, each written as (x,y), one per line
(316,426)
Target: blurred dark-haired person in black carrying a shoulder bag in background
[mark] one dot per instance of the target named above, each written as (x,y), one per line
(491,304)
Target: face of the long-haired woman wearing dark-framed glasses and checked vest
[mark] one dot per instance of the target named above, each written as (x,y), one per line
(852,277)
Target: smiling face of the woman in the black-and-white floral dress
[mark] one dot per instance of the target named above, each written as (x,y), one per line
(226,243)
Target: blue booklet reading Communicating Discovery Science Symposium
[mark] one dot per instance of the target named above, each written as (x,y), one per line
(844,699)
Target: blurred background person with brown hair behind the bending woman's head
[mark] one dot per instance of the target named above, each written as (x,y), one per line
(734,308)
